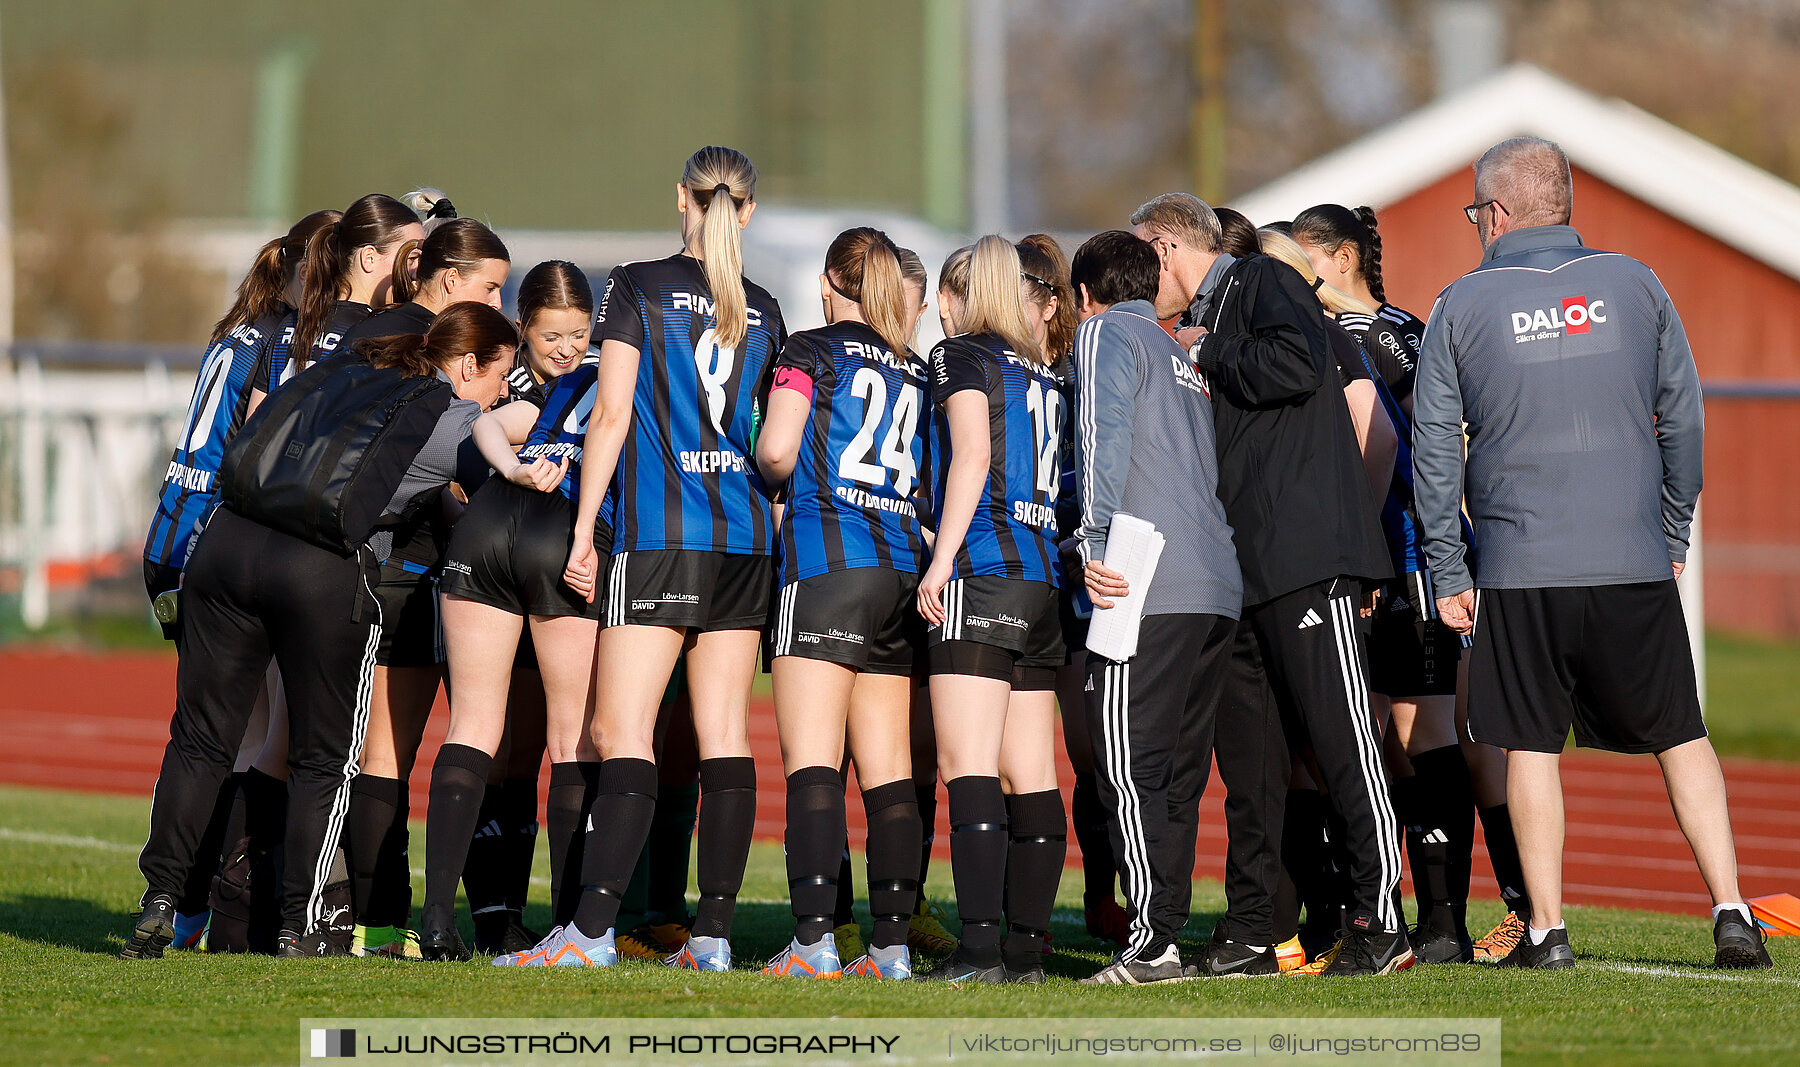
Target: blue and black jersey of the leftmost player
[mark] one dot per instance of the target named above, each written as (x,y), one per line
(217,411)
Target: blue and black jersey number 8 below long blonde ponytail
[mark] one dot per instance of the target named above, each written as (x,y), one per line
(685,478)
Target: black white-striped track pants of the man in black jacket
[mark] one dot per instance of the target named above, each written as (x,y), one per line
(1300,676)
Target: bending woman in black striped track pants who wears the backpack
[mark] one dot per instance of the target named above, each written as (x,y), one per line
(258,595)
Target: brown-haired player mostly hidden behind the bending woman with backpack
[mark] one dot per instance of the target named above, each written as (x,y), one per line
(460,262)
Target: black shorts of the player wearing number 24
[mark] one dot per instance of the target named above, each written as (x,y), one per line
(865,620)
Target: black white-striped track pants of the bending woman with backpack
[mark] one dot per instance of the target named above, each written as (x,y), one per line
(253,595)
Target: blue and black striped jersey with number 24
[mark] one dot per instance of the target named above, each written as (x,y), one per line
(852,498)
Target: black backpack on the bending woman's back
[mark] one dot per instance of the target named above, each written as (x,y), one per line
(325,454)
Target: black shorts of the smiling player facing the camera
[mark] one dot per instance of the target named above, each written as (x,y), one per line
(510,550)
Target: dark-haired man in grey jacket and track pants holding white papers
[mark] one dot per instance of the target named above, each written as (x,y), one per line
(1144,438)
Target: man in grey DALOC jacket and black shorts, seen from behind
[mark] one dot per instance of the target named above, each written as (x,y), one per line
(1585,426)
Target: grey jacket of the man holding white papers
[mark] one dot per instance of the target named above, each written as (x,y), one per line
(1144,442)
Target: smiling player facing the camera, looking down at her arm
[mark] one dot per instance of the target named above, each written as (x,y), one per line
(505,568)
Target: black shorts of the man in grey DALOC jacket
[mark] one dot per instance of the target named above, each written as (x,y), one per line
(1614,661)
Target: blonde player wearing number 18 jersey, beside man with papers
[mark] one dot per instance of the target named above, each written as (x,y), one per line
(991,605)
